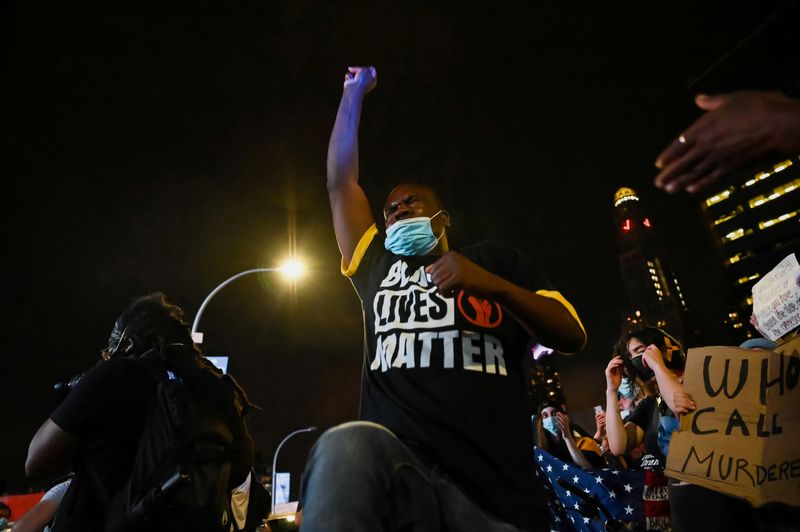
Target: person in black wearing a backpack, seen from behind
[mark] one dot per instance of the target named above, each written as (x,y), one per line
(154,434)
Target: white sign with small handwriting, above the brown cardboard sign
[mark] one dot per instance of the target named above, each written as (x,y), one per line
(776,299)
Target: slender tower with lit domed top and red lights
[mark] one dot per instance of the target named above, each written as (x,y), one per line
(653,290)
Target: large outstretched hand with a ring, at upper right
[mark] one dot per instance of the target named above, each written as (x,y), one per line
(738,128)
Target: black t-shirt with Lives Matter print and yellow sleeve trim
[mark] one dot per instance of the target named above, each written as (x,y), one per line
(444,374)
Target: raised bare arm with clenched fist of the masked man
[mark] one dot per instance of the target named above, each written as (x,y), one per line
(349,206)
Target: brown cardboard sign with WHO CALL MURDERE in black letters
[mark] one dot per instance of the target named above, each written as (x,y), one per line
(744,437)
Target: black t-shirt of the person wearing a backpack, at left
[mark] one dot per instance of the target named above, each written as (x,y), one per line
(106,410)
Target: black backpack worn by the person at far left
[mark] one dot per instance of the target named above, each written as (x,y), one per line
(194,449)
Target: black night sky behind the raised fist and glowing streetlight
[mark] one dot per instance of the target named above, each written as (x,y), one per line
(169,149)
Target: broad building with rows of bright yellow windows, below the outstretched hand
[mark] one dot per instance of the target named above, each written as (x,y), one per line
(755,223)
